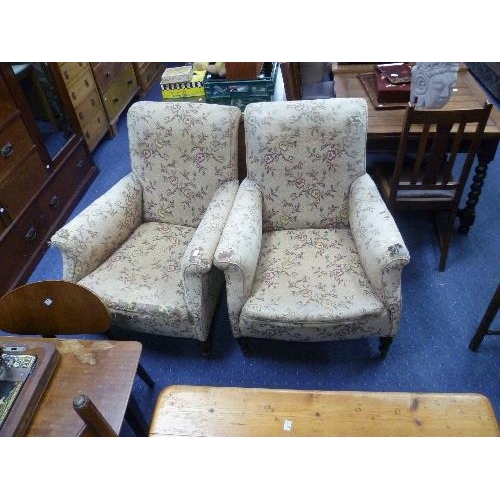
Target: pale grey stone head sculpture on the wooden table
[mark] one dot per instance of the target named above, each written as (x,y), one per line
(432,84)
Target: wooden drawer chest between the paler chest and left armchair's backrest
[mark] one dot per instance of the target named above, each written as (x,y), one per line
(117,86)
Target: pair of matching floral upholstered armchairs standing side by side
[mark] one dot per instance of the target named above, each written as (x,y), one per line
(307,246)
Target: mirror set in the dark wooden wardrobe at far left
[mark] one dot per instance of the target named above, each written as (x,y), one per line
(40,91)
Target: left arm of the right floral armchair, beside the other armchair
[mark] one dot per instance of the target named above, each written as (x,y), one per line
(239,248)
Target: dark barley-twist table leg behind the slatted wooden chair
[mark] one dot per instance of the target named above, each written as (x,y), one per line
(485,155)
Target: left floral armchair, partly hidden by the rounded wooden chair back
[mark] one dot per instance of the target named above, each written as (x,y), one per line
(146,246)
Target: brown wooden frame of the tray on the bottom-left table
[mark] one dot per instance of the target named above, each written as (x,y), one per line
(27,400)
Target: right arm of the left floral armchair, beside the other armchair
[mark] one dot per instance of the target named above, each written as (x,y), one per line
(199,254)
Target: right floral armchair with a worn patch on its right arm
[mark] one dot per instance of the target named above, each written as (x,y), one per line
(310,251)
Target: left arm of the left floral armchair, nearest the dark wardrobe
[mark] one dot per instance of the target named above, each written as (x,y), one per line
(95,233)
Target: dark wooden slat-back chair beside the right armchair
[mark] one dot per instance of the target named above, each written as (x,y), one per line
(434,178)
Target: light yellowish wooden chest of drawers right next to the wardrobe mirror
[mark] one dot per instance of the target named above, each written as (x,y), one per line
(77,79)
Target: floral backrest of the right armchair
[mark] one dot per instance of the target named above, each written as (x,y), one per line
(304,156)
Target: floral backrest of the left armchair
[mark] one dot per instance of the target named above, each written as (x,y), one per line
(182,152)
